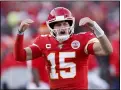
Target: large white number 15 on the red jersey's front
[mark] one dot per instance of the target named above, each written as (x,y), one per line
(62,65)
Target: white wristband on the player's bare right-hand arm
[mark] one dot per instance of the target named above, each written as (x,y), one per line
(97,30)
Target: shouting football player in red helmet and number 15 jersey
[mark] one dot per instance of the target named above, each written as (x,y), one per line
(66,53)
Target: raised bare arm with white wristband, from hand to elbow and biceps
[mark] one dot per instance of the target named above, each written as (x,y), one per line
(103,47)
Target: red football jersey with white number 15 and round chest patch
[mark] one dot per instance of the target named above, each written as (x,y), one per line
(67,63)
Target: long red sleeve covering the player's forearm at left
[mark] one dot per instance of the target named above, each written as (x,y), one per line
(20,53)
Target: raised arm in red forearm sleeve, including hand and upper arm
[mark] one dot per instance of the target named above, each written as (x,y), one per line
(28,53)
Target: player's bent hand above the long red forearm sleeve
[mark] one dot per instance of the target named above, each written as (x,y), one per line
(25,24)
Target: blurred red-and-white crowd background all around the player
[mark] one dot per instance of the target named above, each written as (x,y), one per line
(103,71)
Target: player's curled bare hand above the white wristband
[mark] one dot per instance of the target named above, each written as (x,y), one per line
(86,21)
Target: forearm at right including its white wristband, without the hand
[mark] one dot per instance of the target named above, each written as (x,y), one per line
(105,43)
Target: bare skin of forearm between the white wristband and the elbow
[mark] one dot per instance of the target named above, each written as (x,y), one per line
(105,44)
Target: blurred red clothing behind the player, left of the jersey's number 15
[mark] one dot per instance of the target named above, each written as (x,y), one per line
(39,64)
